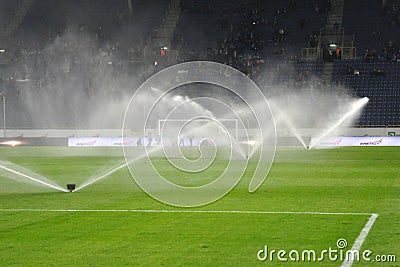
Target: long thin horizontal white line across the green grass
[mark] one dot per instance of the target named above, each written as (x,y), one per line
(192,211)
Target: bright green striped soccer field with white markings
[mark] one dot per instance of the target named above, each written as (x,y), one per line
(310,200)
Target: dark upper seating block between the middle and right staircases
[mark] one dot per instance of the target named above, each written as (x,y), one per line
(236,31)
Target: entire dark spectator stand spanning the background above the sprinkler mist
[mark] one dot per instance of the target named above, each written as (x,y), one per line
(264,39)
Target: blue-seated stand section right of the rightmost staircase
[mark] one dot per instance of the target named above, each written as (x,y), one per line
(376,72)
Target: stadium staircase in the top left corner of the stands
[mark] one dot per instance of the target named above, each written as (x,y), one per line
(7,31)
